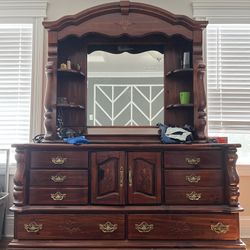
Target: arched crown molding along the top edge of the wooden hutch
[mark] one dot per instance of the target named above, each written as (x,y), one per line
(124,8)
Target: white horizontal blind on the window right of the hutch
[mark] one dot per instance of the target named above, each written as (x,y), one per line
(228,77)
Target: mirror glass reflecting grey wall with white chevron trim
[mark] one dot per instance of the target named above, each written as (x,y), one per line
(125,89)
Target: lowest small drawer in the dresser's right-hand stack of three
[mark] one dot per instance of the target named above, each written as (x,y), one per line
(194,195)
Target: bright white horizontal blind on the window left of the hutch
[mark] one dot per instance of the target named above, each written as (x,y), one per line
(15,83)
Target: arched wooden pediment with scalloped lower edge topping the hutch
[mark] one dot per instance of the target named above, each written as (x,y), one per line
(124,18)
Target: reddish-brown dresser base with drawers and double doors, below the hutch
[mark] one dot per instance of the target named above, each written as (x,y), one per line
(120,196)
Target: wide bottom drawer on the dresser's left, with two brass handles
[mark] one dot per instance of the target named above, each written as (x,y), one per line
(68,226)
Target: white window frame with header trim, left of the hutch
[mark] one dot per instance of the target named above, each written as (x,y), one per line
(30,12)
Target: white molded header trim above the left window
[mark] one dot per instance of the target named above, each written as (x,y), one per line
(23,8)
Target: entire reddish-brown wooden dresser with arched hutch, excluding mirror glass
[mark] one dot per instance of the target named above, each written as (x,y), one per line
(125,189)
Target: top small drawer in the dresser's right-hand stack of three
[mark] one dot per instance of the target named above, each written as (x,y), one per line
(193,159)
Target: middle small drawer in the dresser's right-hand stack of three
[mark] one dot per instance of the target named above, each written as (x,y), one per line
(193,178)
